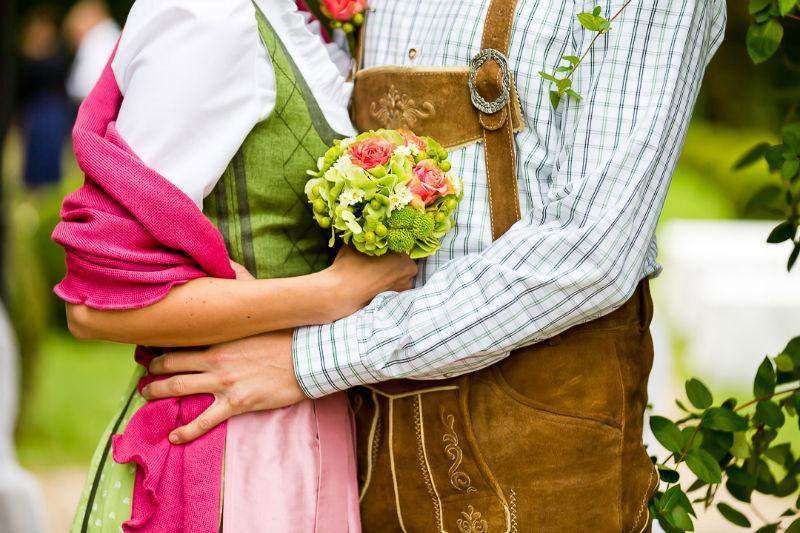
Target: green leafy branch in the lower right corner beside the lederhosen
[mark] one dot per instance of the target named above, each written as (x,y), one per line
(733,445)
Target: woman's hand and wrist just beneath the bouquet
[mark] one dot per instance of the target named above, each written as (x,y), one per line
(356,279)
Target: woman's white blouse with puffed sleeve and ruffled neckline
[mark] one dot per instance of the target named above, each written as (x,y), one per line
(196,79)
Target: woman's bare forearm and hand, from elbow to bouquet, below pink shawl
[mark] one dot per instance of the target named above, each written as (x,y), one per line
(209,310)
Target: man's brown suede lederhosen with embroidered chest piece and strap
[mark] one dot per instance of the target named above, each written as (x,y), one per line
(550,439)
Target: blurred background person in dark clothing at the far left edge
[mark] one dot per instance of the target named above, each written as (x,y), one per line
(44,117)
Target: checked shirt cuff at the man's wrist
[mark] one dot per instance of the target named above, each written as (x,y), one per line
(327,358)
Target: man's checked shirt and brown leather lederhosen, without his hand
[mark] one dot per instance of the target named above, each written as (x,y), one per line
(548,438)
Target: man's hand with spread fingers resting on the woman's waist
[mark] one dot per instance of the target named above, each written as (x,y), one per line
(251,374)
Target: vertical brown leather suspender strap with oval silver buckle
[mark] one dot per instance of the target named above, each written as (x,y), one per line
(491,91)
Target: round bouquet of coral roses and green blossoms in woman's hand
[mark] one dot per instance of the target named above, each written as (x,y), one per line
(385,190)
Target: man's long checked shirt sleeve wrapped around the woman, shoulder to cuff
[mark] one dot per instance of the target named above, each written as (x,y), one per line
(582,258)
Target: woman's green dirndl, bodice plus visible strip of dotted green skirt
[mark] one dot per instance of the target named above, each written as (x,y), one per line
(259,207)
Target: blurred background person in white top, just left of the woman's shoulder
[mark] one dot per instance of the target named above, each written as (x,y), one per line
(91,34)
